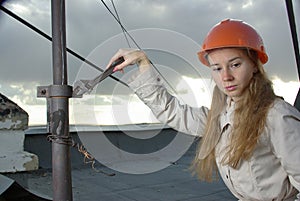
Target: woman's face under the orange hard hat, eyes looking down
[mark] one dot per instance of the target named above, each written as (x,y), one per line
(232,70)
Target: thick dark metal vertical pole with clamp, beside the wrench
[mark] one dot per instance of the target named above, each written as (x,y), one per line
(59,107)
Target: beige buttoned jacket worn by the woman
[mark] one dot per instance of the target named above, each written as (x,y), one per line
(273,172)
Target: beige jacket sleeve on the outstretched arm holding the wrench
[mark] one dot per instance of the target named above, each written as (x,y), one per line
(149,87)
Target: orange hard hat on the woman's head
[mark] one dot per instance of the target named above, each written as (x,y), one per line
(233,33)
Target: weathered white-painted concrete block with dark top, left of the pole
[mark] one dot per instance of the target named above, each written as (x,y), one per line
(13,122)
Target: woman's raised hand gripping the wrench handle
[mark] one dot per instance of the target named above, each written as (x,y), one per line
(131,57)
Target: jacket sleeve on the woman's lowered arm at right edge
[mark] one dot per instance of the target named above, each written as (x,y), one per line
(285,139)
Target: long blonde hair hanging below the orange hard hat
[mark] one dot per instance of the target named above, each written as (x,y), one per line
(249,122)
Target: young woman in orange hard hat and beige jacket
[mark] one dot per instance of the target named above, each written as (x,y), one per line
(249,135)
